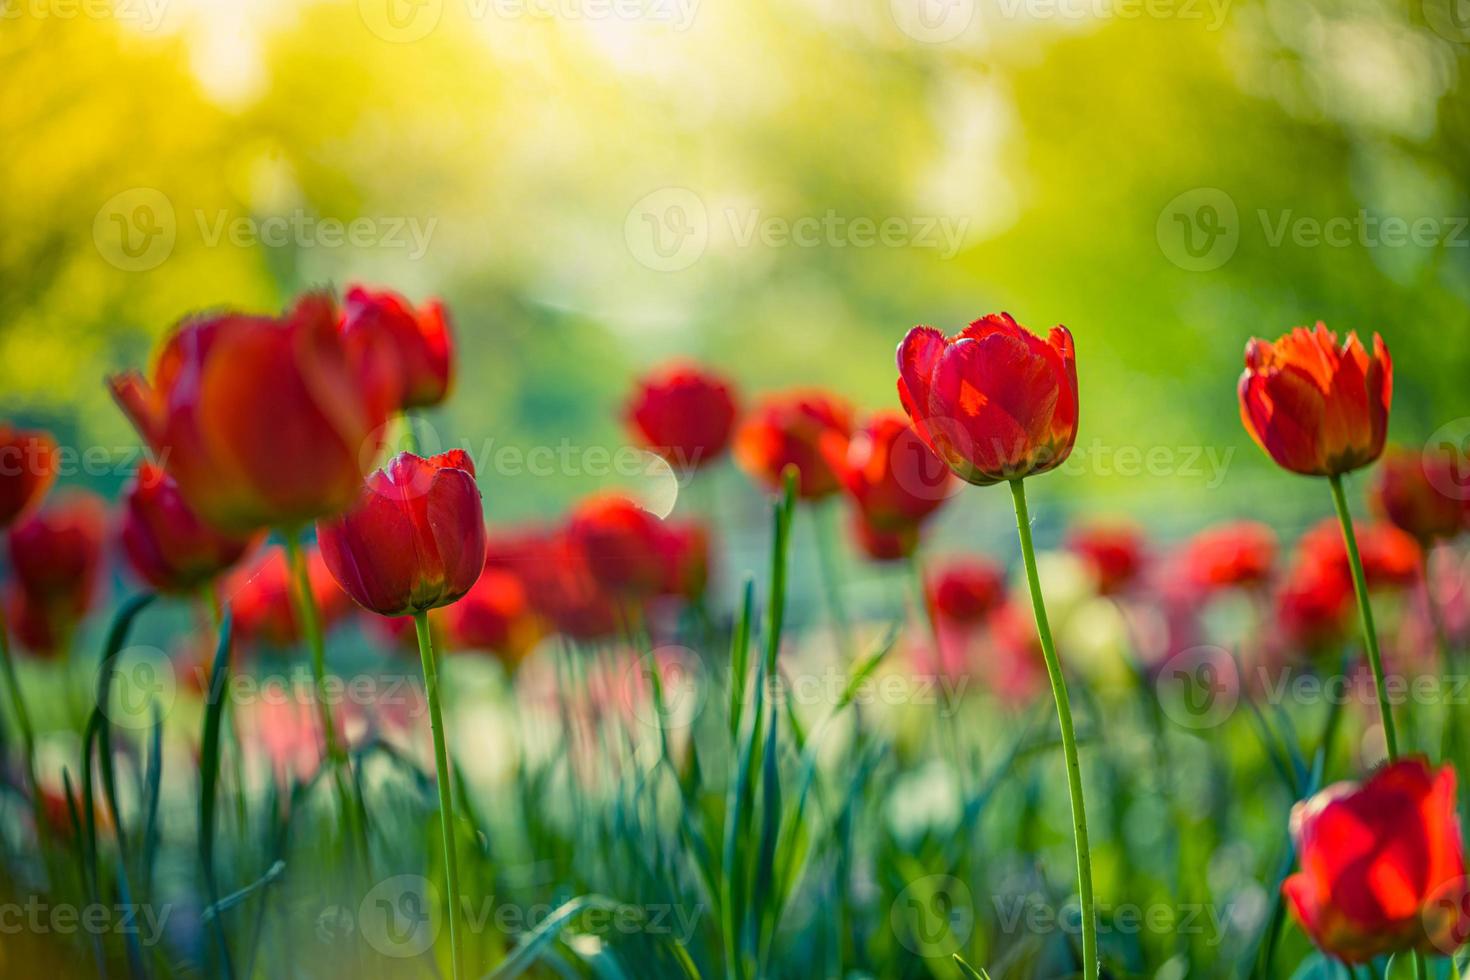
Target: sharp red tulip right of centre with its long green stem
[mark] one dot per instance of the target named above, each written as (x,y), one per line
(999,403)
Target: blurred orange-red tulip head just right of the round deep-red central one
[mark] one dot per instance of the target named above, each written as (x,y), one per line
(806,430)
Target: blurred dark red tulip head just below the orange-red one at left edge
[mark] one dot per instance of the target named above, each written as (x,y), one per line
(57,555)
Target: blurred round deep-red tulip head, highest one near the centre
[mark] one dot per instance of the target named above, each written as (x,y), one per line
(684,414)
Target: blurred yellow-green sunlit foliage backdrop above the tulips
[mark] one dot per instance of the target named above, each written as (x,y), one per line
(778,187)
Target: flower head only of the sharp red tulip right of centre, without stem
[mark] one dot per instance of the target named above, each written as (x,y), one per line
(996,402)
